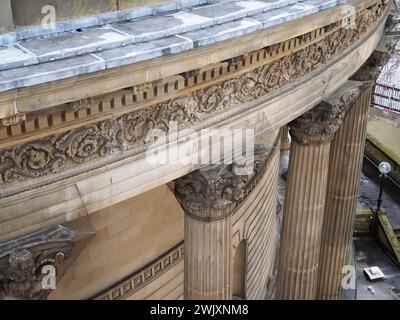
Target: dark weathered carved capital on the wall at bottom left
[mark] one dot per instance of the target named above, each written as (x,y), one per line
(22,261)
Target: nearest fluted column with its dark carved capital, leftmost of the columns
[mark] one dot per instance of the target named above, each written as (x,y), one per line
(209,197)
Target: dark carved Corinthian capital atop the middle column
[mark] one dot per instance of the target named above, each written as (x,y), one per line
(320,124)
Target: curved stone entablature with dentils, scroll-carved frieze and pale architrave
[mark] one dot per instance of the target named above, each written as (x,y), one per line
(101,149)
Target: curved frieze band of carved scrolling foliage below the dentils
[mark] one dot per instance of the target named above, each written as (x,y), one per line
(59,152)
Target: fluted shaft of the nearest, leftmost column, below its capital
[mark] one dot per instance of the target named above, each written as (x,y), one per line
(208,259)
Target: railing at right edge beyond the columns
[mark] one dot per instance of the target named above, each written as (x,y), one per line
(387,96)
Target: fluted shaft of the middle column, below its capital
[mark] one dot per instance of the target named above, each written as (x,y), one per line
(302,221)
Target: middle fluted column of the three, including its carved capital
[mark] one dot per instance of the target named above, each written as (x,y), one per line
(305,198)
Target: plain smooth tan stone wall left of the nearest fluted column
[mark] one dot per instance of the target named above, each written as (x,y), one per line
(130,235)
